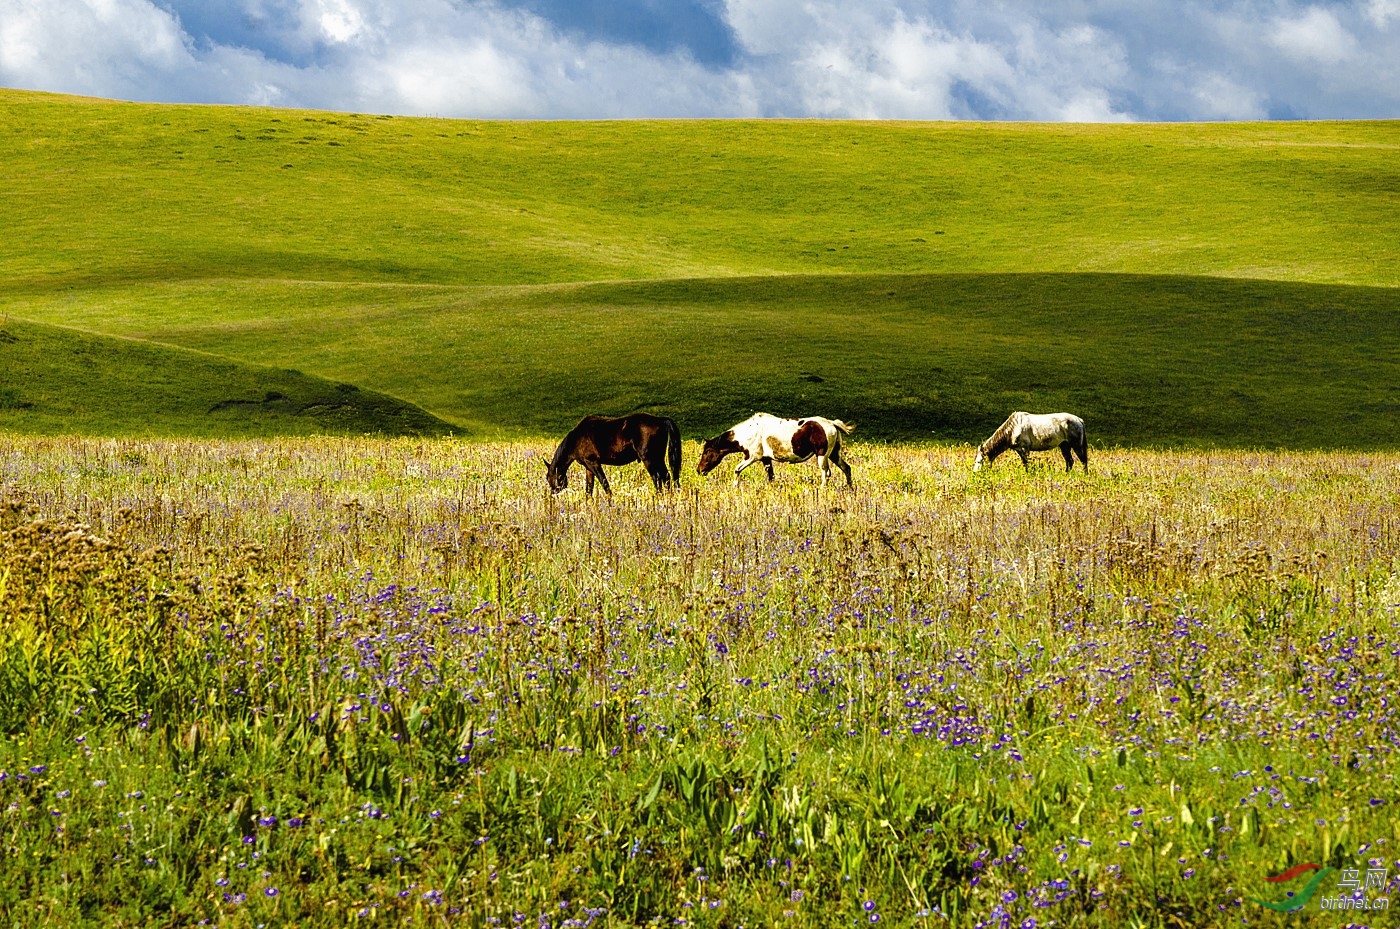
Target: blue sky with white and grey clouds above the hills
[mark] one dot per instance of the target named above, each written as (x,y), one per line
(863,59)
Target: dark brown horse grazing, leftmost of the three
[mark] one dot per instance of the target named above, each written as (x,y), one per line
(600,440)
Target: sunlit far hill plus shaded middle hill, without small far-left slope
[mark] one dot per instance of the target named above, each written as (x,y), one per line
(1181,283)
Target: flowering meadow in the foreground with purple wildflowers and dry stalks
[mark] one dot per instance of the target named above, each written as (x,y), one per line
(355,682)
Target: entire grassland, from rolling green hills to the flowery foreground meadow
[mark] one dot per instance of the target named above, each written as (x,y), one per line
(293,634)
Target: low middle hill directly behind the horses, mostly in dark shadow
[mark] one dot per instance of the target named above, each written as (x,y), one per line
(908,357)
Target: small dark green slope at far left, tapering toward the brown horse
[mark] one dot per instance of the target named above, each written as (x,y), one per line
(65,381)
